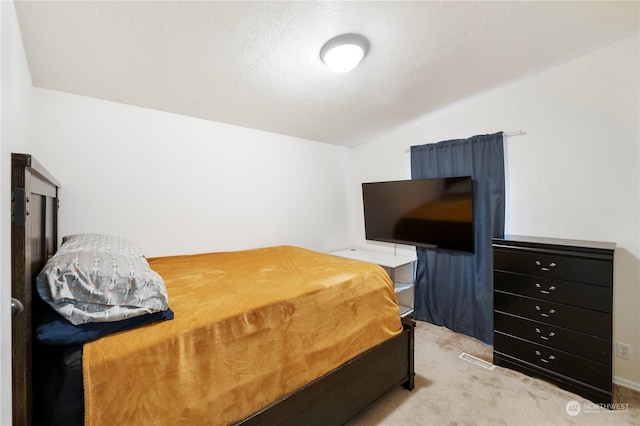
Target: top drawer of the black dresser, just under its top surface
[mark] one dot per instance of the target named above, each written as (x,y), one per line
(556,266)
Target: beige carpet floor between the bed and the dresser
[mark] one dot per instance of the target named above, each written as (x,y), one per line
(452,391)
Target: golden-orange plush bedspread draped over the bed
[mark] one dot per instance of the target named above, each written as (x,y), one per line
(249,328)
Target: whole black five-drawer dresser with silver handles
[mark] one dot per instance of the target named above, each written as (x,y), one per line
(553,311)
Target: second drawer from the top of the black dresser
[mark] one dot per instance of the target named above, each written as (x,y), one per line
(571,293)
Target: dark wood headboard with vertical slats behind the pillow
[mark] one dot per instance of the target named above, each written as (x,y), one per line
(34,238)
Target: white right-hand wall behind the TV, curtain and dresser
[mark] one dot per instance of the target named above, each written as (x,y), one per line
(575,174)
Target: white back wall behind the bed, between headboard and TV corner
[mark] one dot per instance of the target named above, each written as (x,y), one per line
(177,184)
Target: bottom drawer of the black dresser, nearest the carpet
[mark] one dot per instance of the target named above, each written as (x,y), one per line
(578,368)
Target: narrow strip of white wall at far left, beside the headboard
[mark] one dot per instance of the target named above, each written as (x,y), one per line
(15,136)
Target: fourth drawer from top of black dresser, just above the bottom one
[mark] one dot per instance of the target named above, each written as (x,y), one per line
(584,345)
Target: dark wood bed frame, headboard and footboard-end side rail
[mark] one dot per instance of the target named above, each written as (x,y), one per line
(332,399)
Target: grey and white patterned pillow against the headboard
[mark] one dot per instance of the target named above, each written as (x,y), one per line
(94,286)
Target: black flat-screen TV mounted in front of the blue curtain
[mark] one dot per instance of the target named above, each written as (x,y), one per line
(432,213)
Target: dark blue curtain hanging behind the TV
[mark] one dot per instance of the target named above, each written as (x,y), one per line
(455,289)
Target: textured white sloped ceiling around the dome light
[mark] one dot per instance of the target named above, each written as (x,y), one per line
(257,64)
